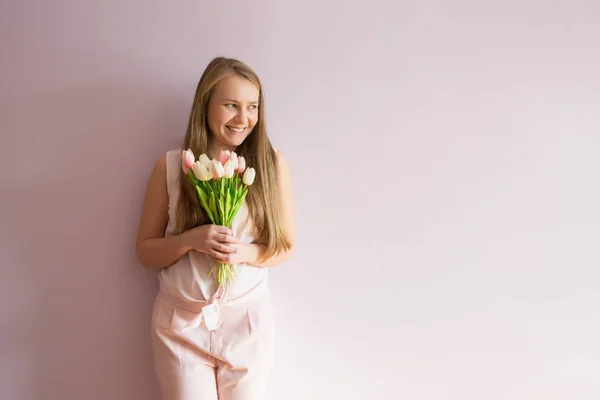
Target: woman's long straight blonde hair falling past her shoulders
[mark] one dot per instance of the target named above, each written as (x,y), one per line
(263,196)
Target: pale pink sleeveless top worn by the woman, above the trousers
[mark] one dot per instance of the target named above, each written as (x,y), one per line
(187,278)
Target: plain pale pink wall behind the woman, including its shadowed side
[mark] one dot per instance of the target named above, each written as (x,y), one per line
(457,260)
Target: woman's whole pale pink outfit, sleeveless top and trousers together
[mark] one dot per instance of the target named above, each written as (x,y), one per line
(200,357)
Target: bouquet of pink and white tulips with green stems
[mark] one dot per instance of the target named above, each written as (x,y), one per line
(221,192)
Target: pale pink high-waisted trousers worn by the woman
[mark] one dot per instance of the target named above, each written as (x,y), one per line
(232,362)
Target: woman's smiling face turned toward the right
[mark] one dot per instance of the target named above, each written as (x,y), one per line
(232,112)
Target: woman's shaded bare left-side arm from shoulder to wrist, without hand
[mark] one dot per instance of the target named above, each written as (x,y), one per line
(152,247)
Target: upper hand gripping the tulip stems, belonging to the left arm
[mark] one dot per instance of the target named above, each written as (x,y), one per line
(212,239)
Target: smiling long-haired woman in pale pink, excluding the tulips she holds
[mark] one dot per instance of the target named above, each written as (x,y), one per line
(209,344)
